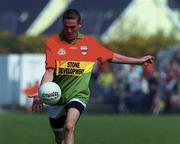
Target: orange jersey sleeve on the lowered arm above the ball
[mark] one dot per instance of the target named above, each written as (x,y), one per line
(50,61)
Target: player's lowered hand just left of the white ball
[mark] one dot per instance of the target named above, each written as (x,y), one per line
(37,105)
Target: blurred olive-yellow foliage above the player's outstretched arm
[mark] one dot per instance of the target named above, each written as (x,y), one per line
(139,46)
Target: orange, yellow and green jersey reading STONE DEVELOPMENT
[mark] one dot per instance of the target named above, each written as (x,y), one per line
(74,63)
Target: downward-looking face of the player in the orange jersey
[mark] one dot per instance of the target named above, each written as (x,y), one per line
(71,28)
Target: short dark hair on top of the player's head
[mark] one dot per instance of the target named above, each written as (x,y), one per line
(72,14)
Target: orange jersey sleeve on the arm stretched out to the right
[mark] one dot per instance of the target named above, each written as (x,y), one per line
(104,54)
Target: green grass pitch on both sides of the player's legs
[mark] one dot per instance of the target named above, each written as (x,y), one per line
(26,128)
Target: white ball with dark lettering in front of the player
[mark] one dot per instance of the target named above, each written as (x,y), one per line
(49,93)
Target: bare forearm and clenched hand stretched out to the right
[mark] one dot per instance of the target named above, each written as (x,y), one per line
(121,59)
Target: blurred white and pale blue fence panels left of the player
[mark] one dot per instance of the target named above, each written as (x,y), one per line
(17,73)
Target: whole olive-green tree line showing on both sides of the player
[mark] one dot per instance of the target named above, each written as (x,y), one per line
(135,46)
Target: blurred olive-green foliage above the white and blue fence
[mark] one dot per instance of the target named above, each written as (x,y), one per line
(21,44)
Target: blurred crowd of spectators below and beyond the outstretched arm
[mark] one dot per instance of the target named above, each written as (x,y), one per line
(135,88)
